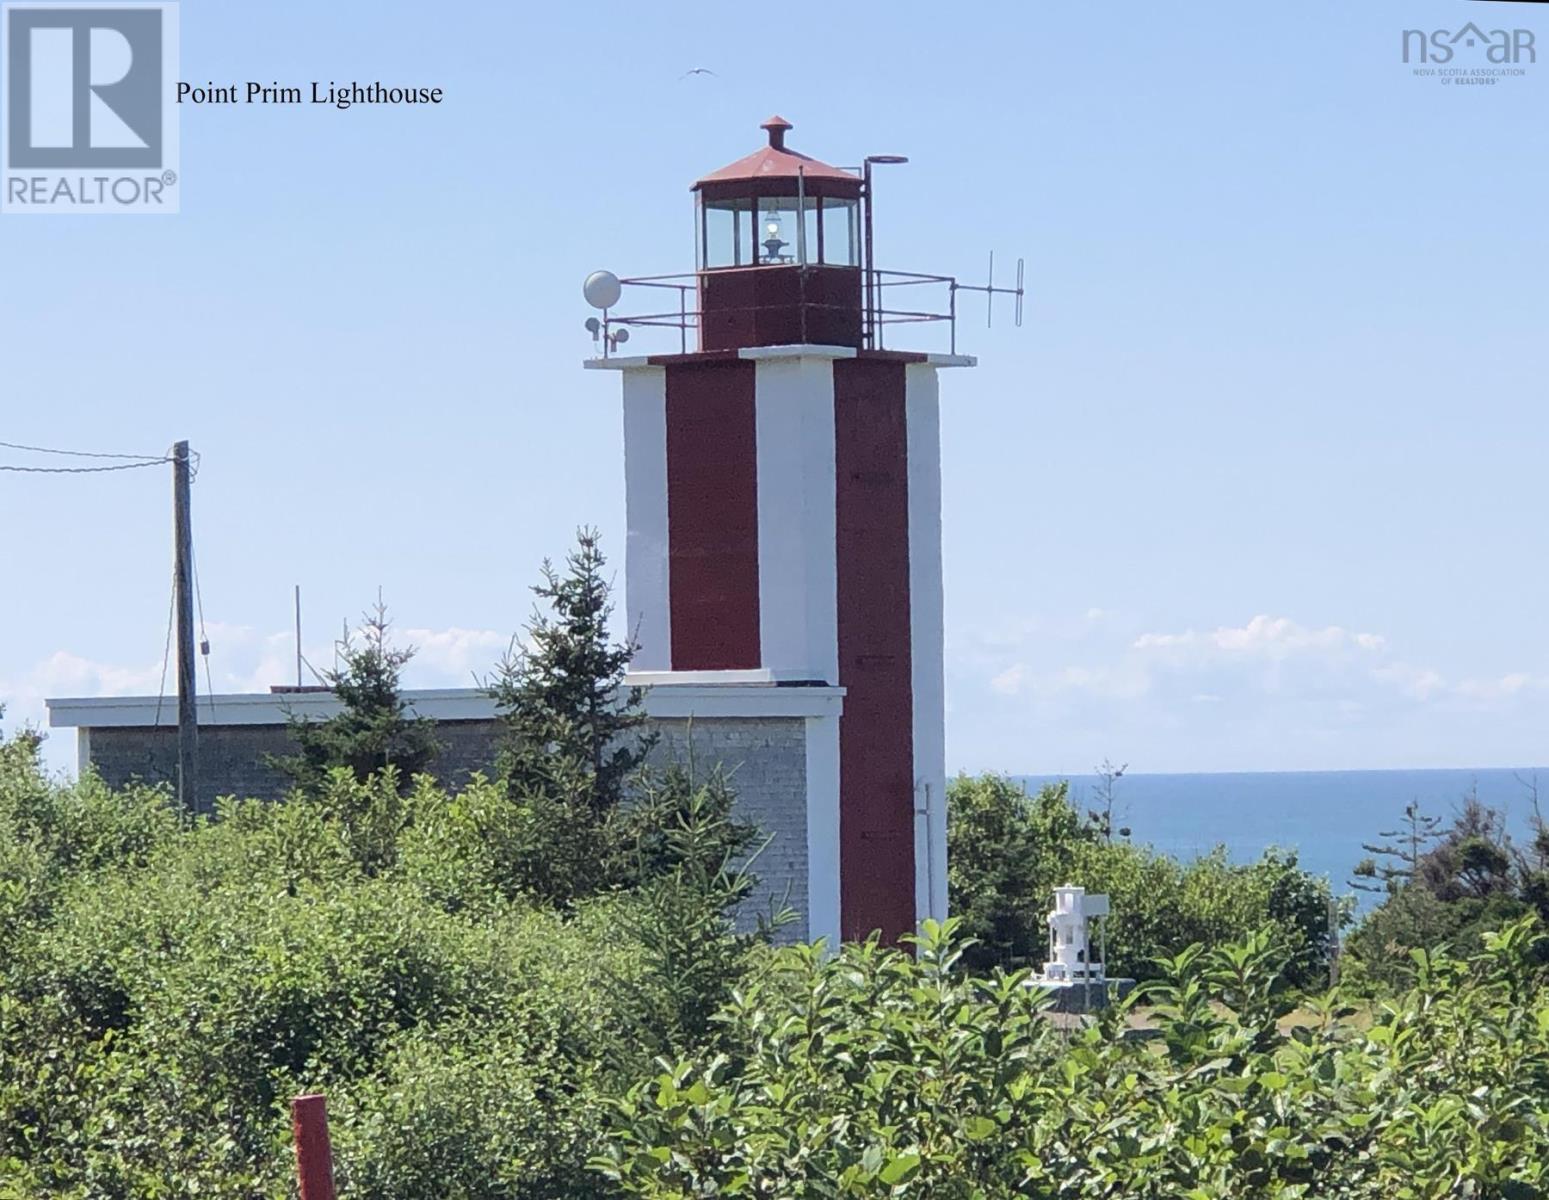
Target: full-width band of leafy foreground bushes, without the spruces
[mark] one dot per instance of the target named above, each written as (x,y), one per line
(165,987)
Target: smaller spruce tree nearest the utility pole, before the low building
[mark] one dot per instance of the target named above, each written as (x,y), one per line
(376,730)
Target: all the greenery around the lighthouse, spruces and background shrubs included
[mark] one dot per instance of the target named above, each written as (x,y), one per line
(535,989)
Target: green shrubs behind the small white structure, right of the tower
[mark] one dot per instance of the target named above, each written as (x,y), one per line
(1009,851)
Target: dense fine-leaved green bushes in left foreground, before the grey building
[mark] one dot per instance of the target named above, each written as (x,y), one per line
(168,987)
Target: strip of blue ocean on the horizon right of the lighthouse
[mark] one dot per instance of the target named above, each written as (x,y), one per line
(1322,815)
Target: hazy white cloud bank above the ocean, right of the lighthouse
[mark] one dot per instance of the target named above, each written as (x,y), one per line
(1271,693)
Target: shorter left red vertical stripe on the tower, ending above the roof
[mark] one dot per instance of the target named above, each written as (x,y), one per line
(713,516)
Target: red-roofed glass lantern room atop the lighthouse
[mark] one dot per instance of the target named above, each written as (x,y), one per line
(780,255)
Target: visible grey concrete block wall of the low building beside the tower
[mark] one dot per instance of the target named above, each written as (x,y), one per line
(764,758)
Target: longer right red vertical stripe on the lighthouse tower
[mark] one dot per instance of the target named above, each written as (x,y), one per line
(878,729)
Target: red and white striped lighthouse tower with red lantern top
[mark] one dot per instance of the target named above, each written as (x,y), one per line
(785,515)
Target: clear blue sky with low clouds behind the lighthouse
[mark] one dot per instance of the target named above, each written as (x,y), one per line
(1257,487)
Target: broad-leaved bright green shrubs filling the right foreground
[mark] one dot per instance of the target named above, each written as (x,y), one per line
(876,1074)
